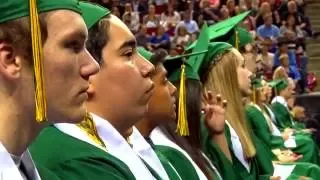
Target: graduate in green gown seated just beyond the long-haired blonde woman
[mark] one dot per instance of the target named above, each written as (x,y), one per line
(269,133)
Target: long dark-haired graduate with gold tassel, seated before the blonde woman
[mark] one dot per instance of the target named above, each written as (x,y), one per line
(174,138)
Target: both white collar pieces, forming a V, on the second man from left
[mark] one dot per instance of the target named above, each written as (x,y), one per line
(115,143)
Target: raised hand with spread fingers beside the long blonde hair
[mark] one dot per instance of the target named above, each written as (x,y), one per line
(214,113)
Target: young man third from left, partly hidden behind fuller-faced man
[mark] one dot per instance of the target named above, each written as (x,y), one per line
(161,110)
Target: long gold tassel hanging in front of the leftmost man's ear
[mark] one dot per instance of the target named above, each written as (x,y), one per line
(40,99)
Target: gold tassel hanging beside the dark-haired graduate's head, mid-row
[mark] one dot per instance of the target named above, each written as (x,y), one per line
(182,125)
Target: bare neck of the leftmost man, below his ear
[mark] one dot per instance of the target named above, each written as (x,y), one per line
(18,127)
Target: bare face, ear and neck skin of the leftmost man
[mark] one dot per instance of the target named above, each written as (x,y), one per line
(68,66)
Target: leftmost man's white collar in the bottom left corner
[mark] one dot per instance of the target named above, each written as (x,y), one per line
(9,170)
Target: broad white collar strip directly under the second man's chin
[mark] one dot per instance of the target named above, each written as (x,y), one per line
(119,147)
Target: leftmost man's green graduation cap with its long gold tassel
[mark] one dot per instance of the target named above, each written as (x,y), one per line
(15,9)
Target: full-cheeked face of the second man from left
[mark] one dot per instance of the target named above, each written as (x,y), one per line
(123,86)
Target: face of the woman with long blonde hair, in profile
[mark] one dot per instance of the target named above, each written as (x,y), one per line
(243,74)
